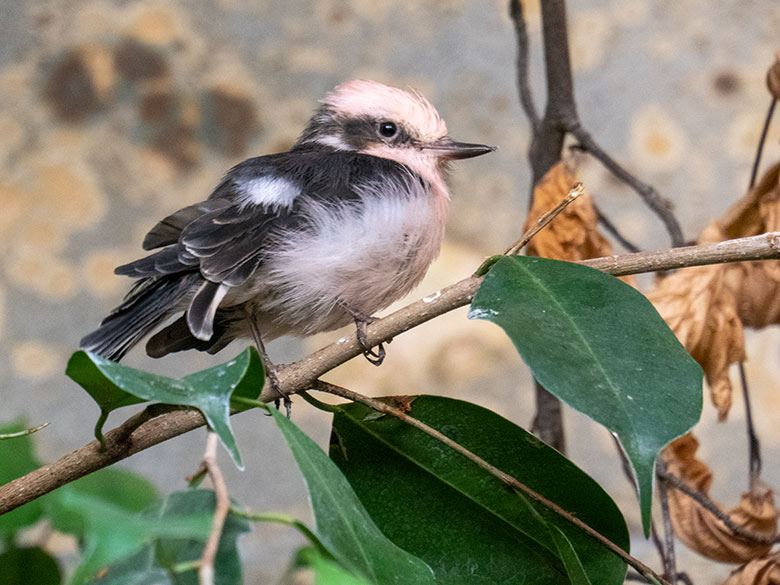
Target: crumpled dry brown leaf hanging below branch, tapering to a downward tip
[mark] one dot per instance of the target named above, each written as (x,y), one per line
(701,308)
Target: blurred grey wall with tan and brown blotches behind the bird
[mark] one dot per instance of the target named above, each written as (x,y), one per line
(114,114)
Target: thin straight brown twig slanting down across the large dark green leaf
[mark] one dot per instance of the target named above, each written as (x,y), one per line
(505,478)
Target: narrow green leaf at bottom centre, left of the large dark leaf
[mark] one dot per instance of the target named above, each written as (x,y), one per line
(342,523)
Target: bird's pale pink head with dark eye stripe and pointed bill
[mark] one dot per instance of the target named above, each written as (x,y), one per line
(375,119)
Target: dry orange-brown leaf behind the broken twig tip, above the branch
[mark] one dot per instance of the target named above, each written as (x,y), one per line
(572,235)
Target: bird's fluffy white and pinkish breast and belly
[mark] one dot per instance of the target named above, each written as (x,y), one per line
(364,254)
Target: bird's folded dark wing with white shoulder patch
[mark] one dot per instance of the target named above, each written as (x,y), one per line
(226,237)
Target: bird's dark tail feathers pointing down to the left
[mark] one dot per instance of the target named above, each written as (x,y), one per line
(147,305)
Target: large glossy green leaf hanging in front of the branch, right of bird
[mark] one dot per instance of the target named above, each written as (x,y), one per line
(600,346)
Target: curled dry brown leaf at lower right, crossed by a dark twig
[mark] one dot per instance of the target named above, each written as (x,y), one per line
(699,529)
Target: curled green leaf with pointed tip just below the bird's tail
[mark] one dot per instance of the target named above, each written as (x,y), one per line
(112,385)
